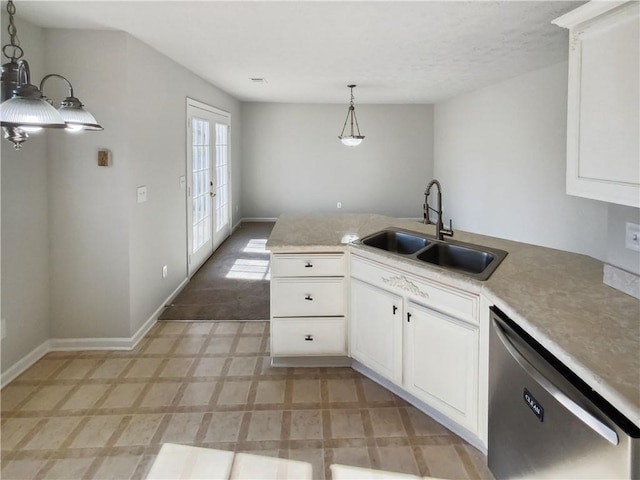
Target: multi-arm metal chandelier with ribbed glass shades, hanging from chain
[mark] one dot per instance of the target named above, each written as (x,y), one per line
(24,107)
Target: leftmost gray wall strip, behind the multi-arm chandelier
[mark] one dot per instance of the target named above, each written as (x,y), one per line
(25,248)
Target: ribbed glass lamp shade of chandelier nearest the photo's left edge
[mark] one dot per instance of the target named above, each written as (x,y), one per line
(29,112)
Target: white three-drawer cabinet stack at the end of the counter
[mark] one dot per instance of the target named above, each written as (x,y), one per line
(308,305)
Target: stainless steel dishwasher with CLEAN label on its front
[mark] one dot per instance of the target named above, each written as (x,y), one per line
(544,421)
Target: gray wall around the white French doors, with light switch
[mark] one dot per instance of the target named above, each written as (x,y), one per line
(156,153)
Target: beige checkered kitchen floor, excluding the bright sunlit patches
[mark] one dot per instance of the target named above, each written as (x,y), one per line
(105,414)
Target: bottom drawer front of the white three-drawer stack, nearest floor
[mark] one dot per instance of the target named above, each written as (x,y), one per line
(308,336)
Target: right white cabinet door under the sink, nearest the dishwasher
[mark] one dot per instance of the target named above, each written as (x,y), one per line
(441,363)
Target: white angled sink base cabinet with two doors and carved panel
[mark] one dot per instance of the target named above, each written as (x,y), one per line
(420,334)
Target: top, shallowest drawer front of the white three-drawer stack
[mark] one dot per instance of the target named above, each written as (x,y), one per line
(311,265)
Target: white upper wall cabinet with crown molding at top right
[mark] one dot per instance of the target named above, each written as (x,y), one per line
(603,131)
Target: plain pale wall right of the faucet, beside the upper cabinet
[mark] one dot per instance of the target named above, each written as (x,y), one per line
(500,154)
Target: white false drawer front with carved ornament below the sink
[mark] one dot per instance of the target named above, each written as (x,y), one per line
(441,297)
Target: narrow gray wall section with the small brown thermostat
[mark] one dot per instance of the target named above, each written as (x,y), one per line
(88,209)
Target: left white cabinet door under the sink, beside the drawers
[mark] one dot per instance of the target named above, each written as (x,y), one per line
(376,329)
